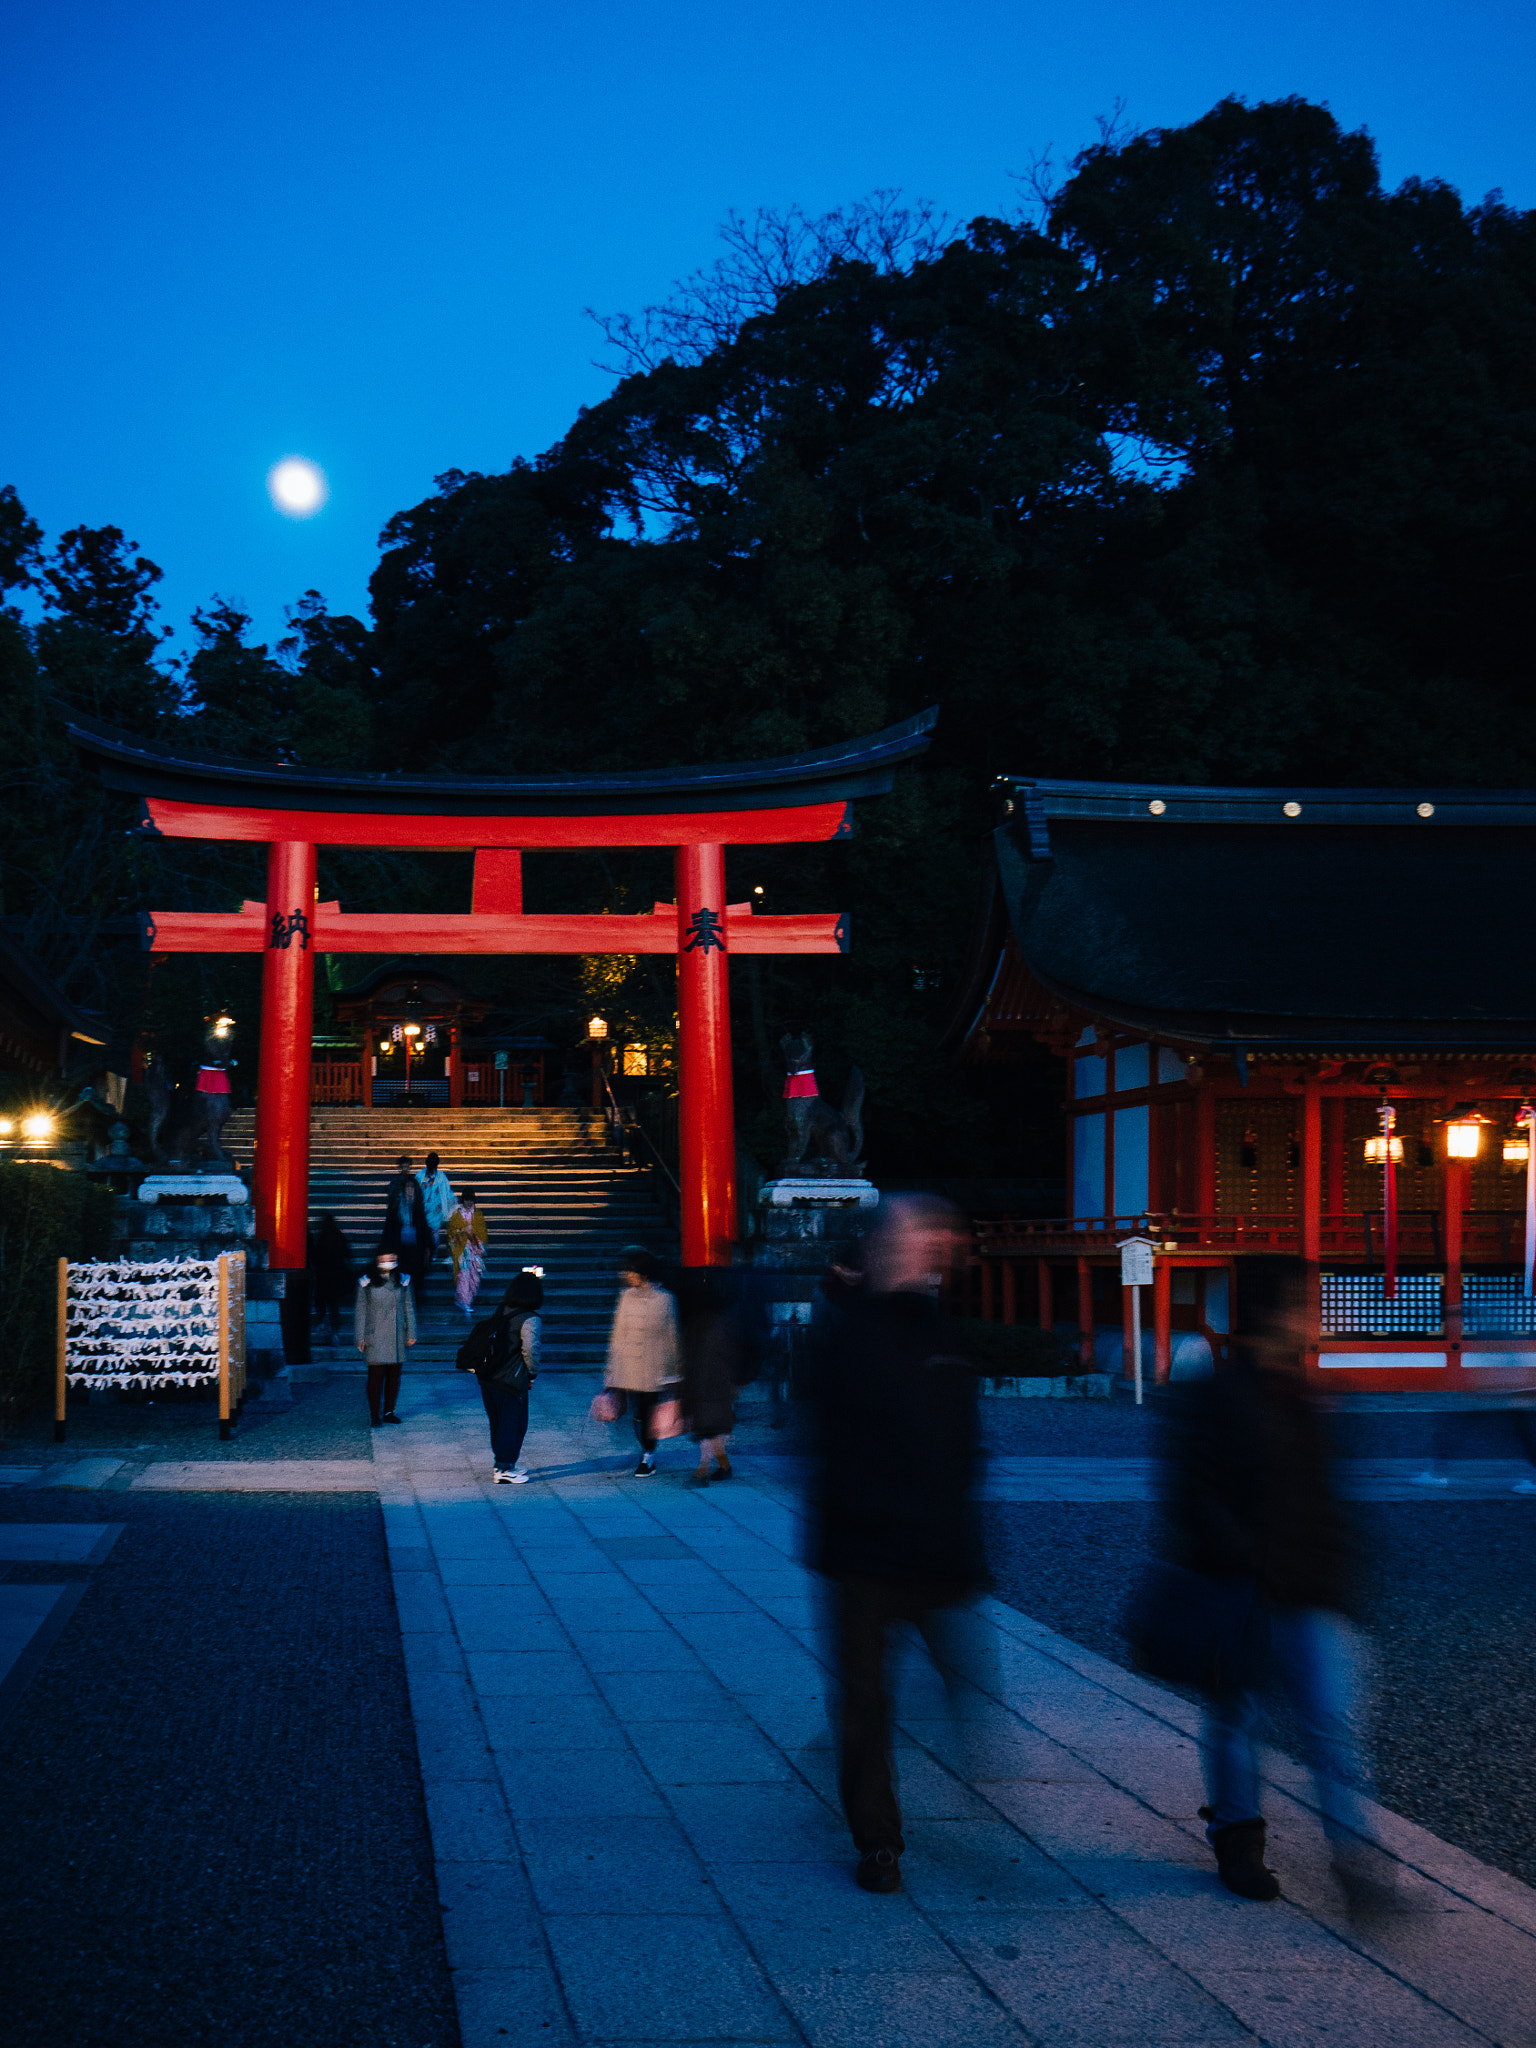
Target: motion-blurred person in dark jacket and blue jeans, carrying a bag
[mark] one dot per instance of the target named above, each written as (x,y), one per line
(1252,1500)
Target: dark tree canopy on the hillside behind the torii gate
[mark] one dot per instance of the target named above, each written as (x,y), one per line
(1218,470)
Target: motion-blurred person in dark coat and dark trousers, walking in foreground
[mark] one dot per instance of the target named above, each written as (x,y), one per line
(894,1523)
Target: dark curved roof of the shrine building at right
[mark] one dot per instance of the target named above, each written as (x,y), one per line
(1371,919)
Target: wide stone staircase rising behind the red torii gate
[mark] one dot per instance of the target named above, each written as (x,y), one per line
(554,1195)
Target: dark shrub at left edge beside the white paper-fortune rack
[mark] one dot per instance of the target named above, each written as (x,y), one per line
(46,1215)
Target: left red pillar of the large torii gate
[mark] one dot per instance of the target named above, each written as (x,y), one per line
(288,1029)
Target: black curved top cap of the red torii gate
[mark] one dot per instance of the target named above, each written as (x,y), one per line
(824,775)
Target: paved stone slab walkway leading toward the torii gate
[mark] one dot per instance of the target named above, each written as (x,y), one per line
(620,1697)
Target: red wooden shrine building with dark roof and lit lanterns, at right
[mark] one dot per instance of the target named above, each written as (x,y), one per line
(1293,1021)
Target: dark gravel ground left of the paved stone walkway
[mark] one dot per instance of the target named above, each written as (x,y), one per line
(216,1824)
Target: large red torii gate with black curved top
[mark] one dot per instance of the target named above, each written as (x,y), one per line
(695,812)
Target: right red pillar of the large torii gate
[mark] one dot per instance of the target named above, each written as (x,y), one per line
(706,1107)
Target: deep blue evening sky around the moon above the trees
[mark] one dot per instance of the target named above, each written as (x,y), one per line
(368,234)
